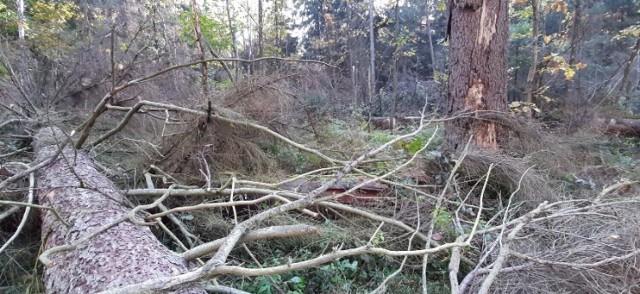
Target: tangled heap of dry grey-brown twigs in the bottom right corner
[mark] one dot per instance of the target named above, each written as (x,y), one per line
(599,233)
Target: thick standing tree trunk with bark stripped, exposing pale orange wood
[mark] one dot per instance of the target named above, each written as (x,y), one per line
(478,79)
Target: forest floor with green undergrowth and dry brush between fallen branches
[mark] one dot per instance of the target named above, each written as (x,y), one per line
(572,170)
